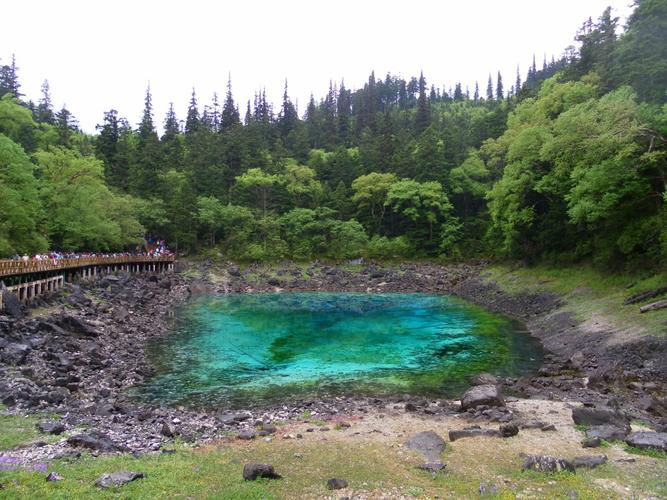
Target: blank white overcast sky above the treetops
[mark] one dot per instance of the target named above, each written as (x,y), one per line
(101,55)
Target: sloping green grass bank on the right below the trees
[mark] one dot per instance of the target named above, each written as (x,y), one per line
(590,293)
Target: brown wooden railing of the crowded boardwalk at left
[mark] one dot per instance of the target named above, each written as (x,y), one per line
(18,267)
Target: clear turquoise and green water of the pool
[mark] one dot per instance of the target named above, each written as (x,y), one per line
(248,350)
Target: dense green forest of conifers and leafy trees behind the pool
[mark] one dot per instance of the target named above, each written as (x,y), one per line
(568,163)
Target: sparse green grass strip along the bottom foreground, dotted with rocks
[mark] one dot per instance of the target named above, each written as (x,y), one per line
(370,468)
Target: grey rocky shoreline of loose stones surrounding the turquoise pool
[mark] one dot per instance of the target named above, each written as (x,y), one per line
(78,359)
